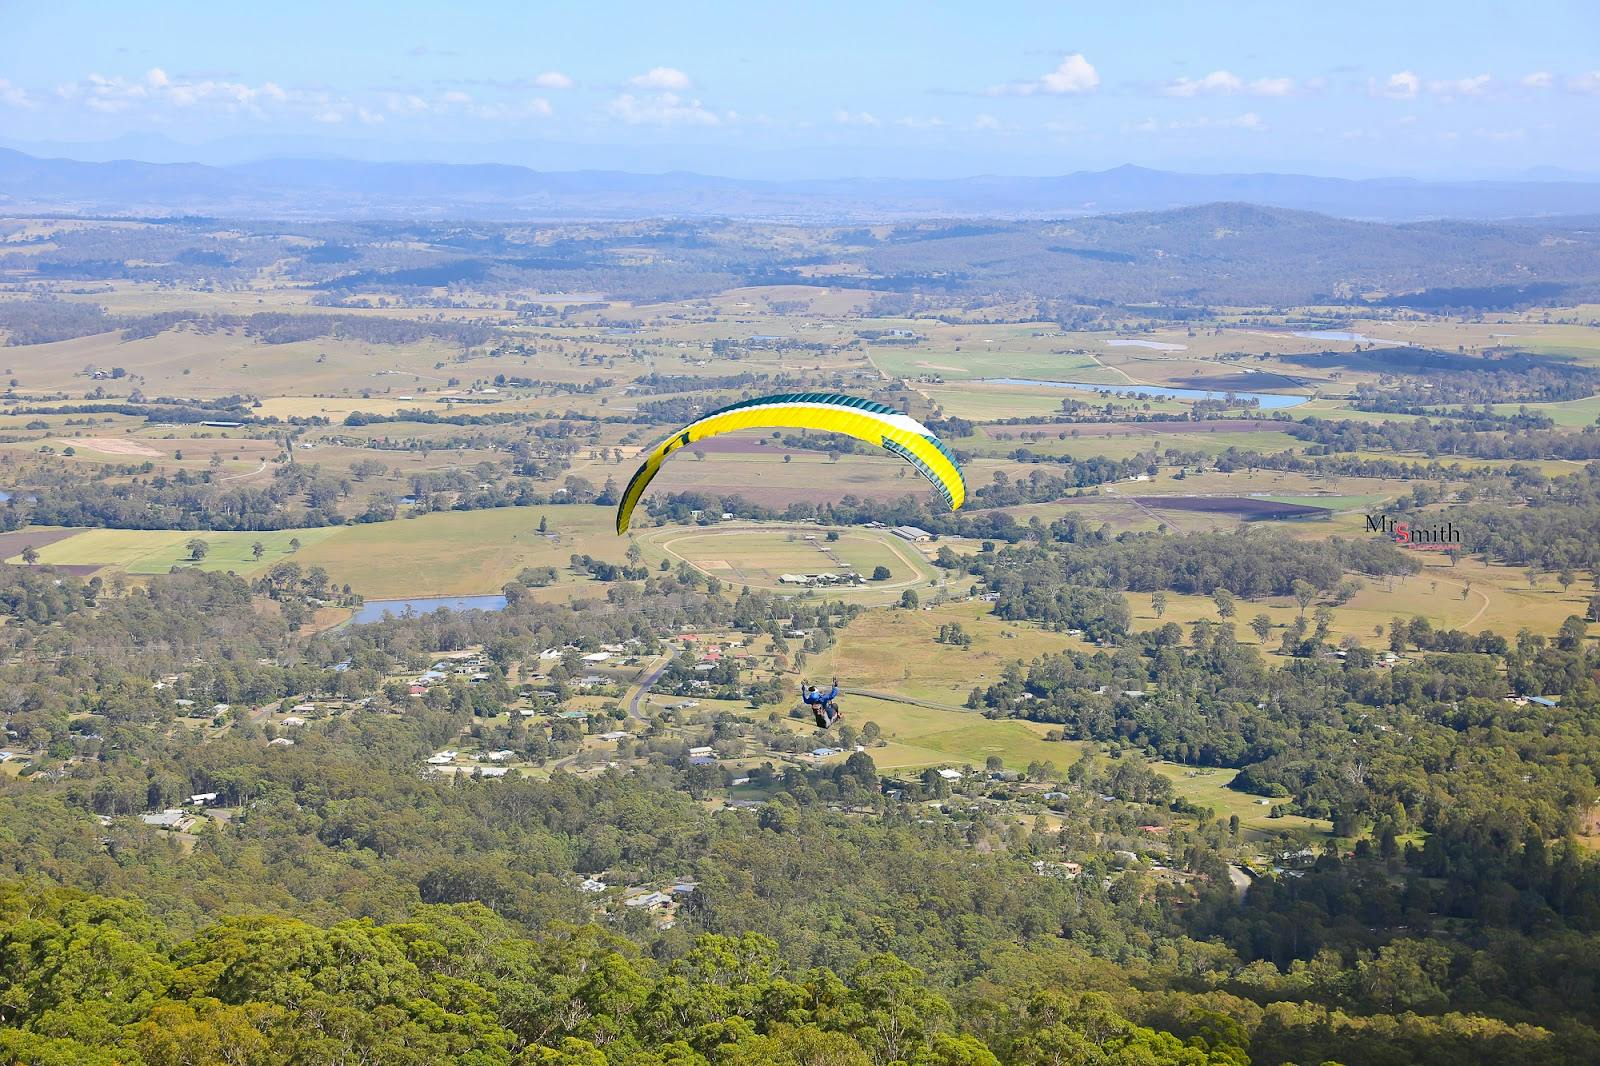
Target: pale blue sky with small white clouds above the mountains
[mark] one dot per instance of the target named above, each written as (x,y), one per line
(825,89)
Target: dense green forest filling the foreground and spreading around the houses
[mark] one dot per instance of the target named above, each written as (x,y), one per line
(354,908)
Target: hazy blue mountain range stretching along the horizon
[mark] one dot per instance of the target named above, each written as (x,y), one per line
(340,190)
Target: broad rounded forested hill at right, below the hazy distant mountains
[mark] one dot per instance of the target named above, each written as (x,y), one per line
(1222,254)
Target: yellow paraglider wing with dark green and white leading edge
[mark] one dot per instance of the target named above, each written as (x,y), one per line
(825,412)
